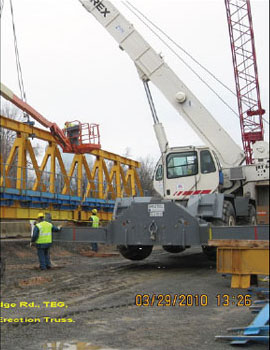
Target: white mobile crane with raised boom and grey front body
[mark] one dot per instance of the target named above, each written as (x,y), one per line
(198,185)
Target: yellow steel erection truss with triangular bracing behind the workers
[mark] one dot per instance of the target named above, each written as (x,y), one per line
(109,177)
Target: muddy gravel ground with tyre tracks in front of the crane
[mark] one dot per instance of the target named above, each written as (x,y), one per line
(87,301)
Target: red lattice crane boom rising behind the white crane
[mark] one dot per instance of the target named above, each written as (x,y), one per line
(246,73)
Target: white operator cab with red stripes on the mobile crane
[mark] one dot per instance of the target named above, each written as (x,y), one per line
(185,171)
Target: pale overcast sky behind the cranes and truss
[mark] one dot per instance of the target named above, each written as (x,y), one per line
(73,69)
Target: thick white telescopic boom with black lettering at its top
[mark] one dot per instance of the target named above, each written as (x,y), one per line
(152,67)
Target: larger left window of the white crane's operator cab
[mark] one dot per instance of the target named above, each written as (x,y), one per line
(182,164)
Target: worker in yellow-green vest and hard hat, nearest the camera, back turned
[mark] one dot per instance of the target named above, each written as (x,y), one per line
(42,237)
